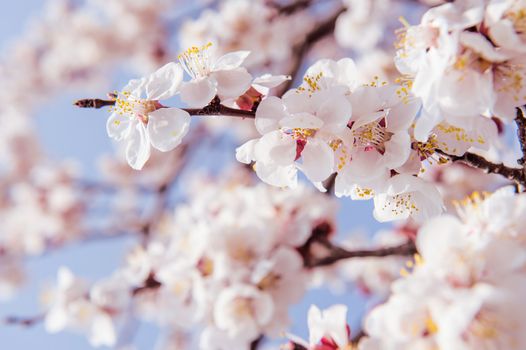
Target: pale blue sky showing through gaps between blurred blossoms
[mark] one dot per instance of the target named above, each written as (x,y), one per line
(67,132)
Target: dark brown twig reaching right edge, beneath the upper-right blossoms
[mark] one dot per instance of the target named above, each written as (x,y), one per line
(479,162)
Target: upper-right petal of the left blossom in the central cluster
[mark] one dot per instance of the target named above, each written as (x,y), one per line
(335,113)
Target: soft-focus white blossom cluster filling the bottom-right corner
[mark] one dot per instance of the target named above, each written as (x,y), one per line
(465,287)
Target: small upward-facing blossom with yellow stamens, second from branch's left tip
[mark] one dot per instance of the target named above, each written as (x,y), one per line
(223,77)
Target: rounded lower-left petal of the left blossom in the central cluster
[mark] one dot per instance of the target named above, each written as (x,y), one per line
(276,147)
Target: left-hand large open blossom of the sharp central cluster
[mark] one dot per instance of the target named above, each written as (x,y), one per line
(301,125)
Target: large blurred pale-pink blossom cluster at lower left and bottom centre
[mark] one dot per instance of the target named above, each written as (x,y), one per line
(229,261)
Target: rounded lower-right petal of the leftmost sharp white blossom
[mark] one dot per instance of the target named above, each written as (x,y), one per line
(167,127)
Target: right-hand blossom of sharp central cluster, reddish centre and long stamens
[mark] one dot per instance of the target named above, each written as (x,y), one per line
(380,138)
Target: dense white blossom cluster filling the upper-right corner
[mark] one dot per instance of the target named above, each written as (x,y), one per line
(459,48)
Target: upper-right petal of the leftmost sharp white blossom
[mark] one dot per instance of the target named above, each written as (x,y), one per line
(165,82)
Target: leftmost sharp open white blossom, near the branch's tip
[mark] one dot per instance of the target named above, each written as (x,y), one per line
(140,120)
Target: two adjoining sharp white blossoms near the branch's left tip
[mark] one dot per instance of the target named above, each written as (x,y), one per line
(141,121)
